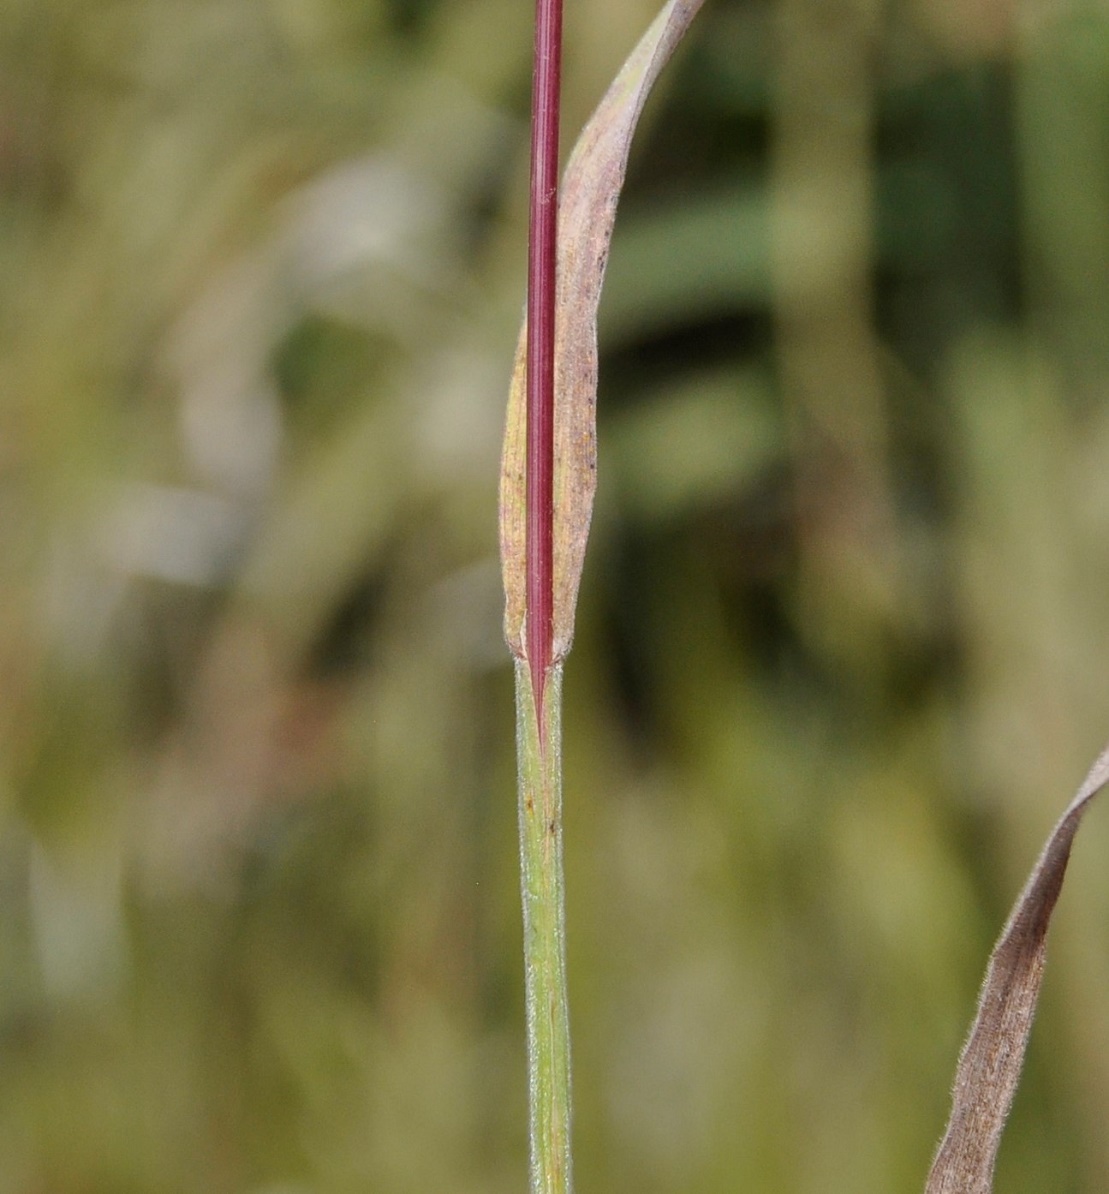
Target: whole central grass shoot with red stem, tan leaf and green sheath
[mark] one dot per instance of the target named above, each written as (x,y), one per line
(550,494)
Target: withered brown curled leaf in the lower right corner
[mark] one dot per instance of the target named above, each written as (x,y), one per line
(993,1058)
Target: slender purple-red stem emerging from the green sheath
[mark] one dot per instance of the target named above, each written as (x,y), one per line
(543,239)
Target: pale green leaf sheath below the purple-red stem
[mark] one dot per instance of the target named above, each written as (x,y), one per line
(545,938)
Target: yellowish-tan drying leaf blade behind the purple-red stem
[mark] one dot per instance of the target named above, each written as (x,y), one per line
(592,188)
